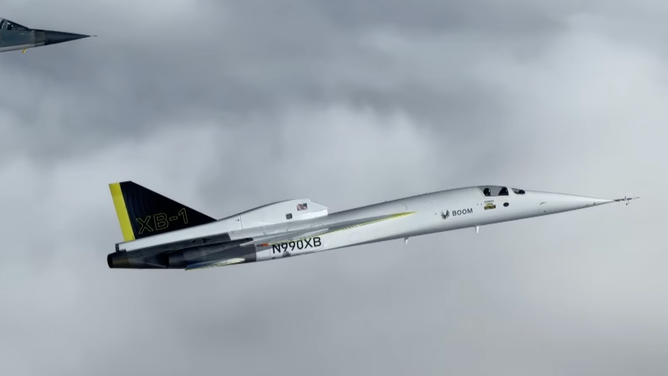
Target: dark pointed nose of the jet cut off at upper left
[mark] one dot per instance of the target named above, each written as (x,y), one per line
(15,37)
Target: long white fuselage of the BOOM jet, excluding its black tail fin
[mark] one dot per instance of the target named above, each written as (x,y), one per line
(226,242)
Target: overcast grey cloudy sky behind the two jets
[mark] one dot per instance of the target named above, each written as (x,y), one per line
(226,105)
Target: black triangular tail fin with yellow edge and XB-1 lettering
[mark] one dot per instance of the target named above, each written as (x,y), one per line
(142,212)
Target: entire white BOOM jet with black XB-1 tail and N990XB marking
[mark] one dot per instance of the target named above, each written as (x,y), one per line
(160,233)
